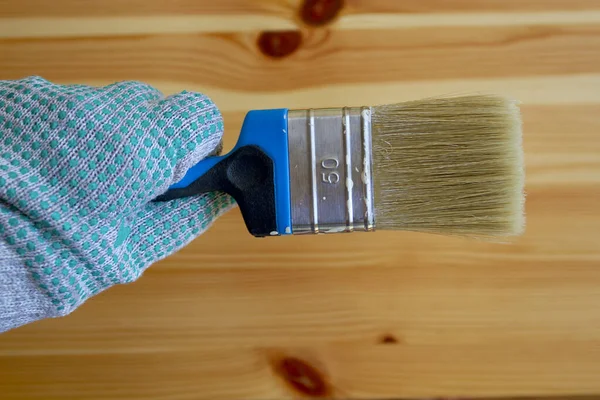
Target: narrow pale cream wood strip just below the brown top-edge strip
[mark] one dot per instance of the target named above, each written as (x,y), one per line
(84,26)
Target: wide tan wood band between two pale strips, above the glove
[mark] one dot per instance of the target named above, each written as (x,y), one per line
(234,63)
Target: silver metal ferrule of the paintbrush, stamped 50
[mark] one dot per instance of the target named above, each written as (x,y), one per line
(330,170)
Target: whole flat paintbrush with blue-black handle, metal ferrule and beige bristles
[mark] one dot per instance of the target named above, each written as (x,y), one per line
(450,165)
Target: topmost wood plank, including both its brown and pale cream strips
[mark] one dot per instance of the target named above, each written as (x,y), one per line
(35,18)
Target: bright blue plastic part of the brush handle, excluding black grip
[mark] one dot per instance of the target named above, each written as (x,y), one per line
(266,130)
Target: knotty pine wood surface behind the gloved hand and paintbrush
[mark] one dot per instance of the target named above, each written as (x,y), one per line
(377,315)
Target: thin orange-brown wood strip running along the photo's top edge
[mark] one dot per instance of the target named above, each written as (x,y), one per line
(31,8)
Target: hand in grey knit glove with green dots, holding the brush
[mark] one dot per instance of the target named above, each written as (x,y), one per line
(79,167)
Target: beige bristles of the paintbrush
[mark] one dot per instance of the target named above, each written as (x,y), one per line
(452,166)
